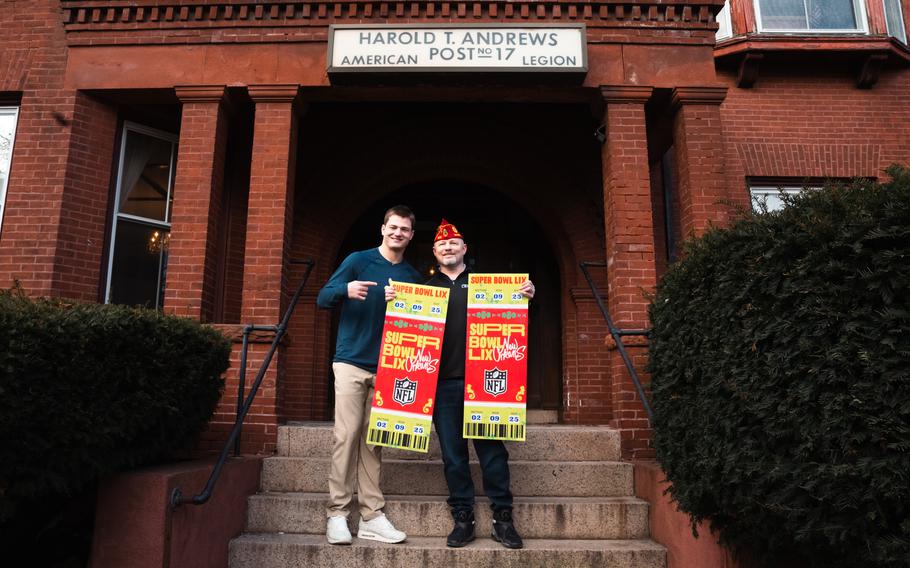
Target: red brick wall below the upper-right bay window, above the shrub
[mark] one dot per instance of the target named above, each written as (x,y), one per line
(801,121)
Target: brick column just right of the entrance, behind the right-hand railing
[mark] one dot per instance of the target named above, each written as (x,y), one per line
(629,249)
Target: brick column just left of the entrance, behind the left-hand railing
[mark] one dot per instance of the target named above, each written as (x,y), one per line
(265,273)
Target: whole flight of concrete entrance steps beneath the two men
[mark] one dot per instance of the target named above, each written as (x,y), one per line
(574,506)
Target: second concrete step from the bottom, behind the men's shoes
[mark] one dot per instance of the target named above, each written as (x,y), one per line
(419,515)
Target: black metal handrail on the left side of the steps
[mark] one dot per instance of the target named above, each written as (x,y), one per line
(244,404)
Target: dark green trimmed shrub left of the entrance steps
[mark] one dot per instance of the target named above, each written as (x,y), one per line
(89,389)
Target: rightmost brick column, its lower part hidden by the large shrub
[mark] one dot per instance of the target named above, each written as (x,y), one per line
(699,157)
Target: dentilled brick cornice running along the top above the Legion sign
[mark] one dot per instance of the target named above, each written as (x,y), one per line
(639,16)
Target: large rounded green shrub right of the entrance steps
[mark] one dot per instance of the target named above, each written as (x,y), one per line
(780,369)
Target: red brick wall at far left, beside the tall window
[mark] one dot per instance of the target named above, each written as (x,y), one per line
(53,230)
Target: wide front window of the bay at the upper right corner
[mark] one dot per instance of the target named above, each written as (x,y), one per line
(817,16)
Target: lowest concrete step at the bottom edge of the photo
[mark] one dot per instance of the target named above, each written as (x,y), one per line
(311,551)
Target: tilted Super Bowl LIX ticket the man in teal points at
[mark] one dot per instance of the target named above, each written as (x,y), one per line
(408,367)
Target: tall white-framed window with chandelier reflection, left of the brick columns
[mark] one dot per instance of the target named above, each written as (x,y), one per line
(142,217)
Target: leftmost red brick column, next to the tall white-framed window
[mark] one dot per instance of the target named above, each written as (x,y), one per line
(196,212)
